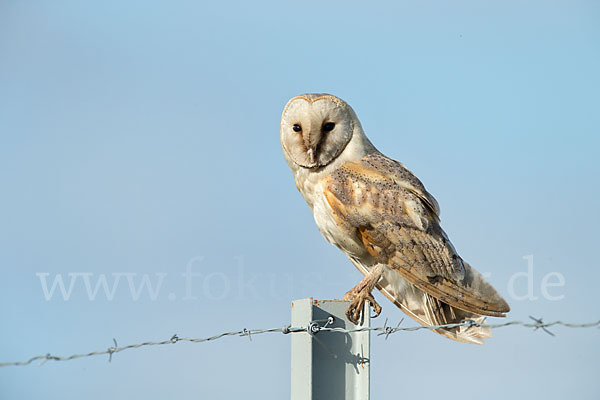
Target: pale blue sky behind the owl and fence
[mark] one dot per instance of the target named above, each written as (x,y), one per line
(137,139)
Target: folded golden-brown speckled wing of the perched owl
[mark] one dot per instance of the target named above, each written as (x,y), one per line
(398,224)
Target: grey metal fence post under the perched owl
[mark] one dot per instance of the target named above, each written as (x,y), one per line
(329,365)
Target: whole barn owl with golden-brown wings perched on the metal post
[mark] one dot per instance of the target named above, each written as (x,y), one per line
(379,214)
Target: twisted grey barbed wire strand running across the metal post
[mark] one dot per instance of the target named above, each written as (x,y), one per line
(313,328)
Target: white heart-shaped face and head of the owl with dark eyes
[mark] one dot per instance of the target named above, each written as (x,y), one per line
(315,129)
